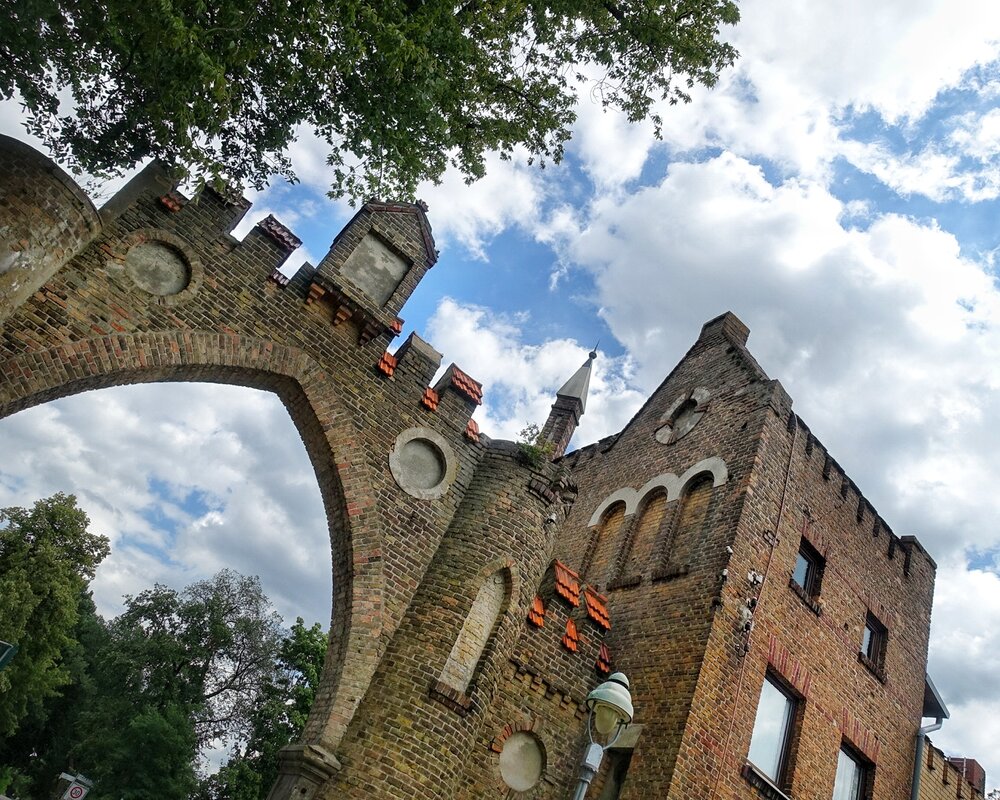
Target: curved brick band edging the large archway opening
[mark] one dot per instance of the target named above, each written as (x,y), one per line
(310,396)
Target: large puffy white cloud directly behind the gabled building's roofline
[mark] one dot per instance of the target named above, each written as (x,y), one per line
(886,337)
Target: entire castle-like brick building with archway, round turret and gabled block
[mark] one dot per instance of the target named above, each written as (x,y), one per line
(773,626)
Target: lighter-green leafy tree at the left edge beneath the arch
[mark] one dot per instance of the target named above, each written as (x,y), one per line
(47,558)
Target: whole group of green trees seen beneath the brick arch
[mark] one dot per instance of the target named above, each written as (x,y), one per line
(134,703)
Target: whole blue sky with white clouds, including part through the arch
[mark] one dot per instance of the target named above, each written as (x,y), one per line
(838,190)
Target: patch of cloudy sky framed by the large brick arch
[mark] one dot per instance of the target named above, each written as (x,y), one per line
(185,479)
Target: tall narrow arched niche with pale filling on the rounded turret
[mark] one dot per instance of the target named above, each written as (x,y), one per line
(464,660)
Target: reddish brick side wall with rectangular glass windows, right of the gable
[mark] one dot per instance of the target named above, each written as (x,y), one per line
(812,644)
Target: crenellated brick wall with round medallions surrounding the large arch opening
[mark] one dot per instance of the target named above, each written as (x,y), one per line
(90,326)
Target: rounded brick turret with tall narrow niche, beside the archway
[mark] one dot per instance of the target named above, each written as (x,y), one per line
(415,730)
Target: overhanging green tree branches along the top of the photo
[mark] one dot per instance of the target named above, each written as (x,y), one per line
(398,89)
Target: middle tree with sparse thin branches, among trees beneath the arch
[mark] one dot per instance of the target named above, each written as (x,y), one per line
(181,671)
